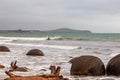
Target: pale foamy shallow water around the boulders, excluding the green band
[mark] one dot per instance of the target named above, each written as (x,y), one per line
(57,52)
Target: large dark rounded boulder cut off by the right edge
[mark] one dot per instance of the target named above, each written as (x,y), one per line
(113,66)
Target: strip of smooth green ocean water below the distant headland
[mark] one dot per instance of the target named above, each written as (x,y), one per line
(93,36)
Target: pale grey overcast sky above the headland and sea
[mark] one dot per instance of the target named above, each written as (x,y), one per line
(99,16)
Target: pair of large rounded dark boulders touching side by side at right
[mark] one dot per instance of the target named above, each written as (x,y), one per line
(93,66)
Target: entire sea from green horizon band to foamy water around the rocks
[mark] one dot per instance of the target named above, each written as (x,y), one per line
(58,51)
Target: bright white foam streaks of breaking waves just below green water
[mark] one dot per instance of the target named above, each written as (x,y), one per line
(9,40)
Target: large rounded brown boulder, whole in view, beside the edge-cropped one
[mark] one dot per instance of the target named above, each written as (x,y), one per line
(87,66)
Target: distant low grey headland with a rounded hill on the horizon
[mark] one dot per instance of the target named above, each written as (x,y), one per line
(60,30)
